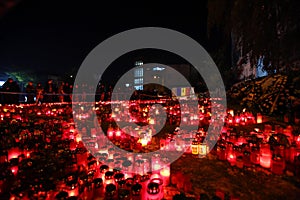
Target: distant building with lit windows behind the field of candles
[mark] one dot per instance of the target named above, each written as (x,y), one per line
(158,77)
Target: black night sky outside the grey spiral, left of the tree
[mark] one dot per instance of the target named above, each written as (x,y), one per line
(54,36)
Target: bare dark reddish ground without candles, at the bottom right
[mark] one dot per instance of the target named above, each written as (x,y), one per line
(208,175)
